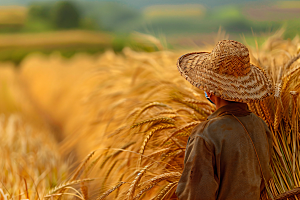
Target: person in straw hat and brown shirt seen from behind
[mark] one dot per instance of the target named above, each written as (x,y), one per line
(227,156)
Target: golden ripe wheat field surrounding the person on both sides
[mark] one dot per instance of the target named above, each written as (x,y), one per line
(115,126)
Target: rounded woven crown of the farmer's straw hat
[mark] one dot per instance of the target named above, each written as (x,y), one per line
(230,58)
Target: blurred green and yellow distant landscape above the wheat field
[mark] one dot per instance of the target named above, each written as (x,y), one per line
(93,26)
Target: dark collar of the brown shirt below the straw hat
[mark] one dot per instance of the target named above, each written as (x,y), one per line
(235,108)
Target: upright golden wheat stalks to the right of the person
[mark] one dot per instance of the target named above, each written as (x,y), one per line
(280,59)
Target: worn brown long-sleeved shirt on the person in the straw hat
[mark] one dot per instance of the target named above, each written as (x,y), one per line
(220,161)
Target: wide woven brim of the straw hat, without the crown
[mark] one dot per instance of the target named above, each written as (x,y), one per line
(196,68)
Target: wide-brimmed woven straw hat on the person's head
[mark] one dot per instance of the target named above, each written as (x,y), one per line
(226,72)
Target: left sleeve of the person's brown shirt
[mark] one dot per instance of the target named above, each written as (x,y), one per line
(198,180)
